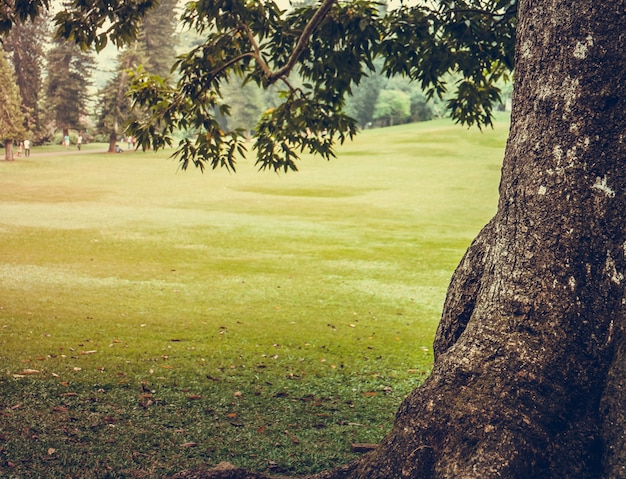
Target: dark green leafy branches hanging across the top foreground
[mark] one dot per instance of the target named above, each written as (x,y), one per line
(329,47)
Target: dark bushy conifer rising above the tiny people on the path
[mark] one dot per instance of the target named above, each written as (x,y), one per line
(67,85)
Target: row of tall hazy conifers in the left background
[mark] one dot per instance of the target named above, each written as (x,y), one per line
(49,82)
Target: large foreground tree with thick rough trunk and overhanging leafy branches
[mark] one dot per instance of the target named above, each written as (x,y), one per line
(529,378)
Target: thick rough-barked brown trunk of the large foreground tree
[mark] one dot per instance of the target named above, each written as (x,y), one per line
(529,377)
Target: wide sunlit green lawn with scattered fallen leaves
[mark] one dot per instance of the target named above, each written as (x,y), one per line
(178,319)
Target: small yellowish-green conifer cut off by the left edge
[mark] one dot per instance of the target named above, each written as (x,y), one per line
(11,116)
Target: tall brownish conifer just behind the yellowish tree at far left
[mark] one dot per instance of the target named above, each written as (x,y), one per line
(25,43)
